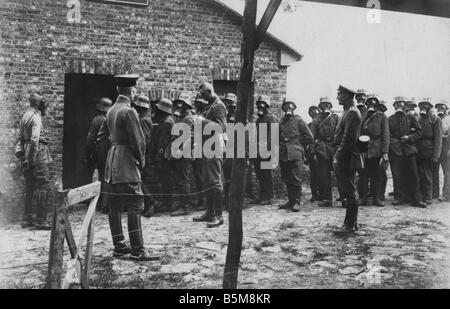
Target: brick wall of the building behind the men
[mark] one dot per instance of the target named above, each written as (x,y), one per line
(172,44)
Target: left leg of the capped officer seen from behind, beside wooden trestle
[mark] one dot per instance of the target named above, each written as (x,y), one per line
(114,201)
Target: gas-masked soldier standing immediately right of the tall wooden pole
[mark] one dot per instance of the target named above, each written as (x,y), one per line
(264,176)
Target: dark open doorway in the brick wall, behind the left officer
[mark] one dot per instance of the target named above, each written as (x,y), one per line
(81,94)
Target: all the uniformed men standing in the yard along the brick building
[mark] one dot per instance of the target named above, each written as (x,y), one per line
(129,142)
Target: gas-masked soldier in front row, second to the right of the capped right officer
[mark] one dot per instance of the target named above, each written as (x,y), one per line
(404,131)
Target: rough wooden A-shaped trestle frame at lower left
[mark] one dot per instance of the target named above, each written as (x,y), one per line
(61,230)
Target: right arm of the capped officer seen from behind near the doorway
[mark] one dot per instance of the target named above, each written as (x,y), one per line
(136,137)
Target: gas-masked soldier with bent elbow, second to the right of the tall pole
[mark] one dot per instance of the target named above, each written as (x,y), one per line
(295,137)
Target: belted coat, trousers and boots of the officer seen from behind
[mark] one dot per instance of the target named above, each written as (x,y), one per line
(125,161)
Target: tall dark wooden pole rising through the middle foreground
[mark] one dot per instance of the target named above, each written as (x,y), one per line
(237,189)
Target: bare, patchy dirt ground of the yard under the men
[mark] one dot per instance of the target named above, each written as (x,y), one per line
(396,247)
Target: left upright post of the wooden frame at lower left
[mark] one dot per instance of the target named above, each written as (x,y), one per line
(55,263)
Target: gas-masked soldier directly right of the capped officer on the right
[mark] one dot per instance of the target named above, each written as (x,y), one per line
(376,126)
